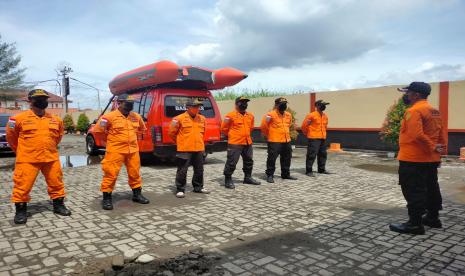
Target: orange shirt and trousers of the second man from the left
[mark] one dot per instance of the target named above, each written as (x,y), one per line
(122,147)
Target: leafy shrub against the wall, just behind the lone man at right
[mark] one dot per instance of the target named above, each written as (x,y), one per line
(391,127)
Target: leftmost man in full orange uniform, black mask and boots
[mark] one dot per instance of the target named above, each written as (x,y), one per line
(34,136)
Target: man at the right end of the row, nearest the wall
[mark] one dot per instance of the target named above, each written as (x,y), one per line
(314,127)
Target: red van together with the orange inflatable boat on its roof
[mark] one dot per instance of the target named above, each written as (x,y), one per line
(162,90)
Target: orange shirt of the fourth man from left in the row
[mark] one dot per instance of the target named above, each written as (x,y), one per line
(238,127)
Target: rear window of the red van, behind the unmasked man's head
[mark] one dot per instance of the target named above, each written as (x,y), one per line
(175,105)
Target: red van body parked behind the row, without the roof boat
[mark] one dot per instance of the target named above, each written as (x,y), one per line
(157,107)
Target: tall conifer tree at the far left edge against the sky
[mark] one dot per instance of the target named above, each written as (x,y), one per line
(11,76)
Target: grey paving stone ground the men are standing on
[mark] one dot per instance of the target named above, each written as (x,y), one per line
(328,225)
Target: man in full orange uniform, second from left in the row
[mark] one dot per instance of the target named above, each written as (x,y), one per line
(121,127)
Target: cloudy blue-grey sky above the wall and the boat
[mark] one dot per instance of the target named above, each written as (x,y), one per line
(284,45)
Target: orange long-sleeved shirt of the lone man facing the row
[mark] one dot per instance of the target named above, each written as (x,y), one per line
(421,130)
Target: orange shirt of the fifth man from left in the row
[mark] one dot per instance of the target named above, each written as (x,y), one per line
(276,127)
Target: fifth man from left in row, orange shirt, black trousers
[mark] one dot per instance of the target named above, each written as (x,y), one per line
(275,127)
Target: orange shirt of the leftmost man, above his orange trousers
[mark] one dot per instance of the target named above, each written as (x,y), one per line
(33,138)
